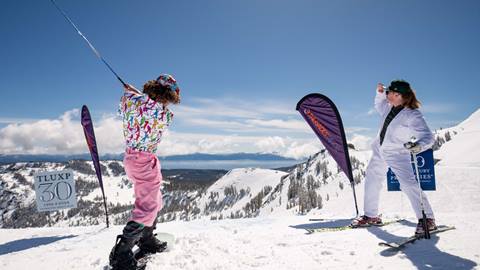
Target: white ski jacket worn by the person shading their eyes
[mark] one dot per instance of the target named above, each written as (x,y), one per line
(407,123)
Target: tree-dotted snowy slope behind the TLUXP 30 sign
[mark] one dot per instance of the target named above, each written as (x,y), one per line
(17,191)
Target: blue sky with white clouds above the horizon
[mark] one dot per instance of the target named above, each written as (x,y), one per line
(242,67)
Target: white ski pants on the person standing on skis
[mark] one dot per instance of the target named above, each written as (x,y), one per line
(376,175)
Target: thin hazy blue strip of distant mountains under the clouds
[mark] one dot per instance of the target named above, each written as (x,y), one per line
(191,157)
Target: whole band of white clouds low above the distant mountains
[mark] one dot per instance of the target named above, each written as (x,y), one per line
(64,135)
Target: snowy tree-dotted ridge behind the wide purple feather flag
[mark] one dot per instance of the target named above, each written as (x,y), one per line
(315,185)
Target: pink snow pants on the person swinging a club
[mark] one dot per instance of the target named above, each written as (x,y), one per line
(143,169)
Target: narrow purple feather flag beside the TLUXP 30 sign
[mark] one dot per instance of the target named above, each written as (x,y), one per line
(92,146)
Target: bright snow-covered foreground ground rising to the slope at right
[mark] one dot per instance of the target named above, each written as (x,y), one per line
(279,241)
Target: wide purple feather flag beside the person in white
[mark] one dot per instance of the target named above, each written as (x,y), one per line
(323,117)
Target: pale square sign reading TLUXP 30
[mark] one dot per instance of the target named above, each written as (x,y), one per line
(55,190)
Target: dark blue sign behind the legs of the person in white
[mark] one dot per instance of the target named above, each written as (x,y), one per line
(425,169)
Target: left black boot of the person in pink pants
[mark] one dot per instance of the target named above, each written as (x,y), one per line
(121,256)
